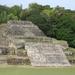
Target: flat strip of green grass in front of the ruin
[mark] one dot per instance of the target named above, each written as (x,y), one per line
(36,71)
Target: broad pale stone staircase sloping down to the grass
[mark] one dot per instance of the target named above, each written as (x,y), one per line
(46,54)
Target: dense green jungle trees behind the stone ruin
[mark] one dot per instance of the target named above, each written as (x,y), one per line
(55,22)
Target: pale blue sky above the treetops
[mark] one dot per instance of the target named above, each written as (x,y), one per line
(68,4)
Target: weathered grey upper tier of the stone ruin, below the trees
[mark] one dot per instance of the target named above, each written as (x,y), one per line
(23,28)
